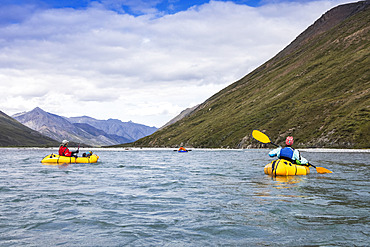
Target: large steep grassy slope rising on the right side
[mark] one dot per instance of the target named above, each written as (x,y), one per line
(317,89)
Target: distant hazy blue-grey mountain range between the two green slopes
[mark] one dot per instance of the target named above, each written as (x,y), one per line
(84,130)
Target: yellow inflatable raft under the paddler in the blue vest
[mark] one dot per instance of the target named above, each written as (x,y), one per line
(283,167)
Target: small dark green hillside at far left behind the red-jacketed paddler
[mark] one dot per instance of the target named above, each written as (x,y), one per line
(14,134)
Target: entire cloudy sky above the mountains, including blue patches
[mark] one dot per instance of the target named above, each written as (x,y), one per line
(138,60)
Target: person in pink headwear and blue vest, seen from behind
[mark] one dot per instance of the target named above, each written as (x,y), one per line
(289,153)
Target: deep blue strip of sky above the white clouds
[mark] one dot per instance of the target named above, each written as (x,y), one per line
(24,8)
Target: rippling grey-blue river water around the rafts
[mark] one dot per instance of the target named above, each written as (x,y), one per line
(166,198)
